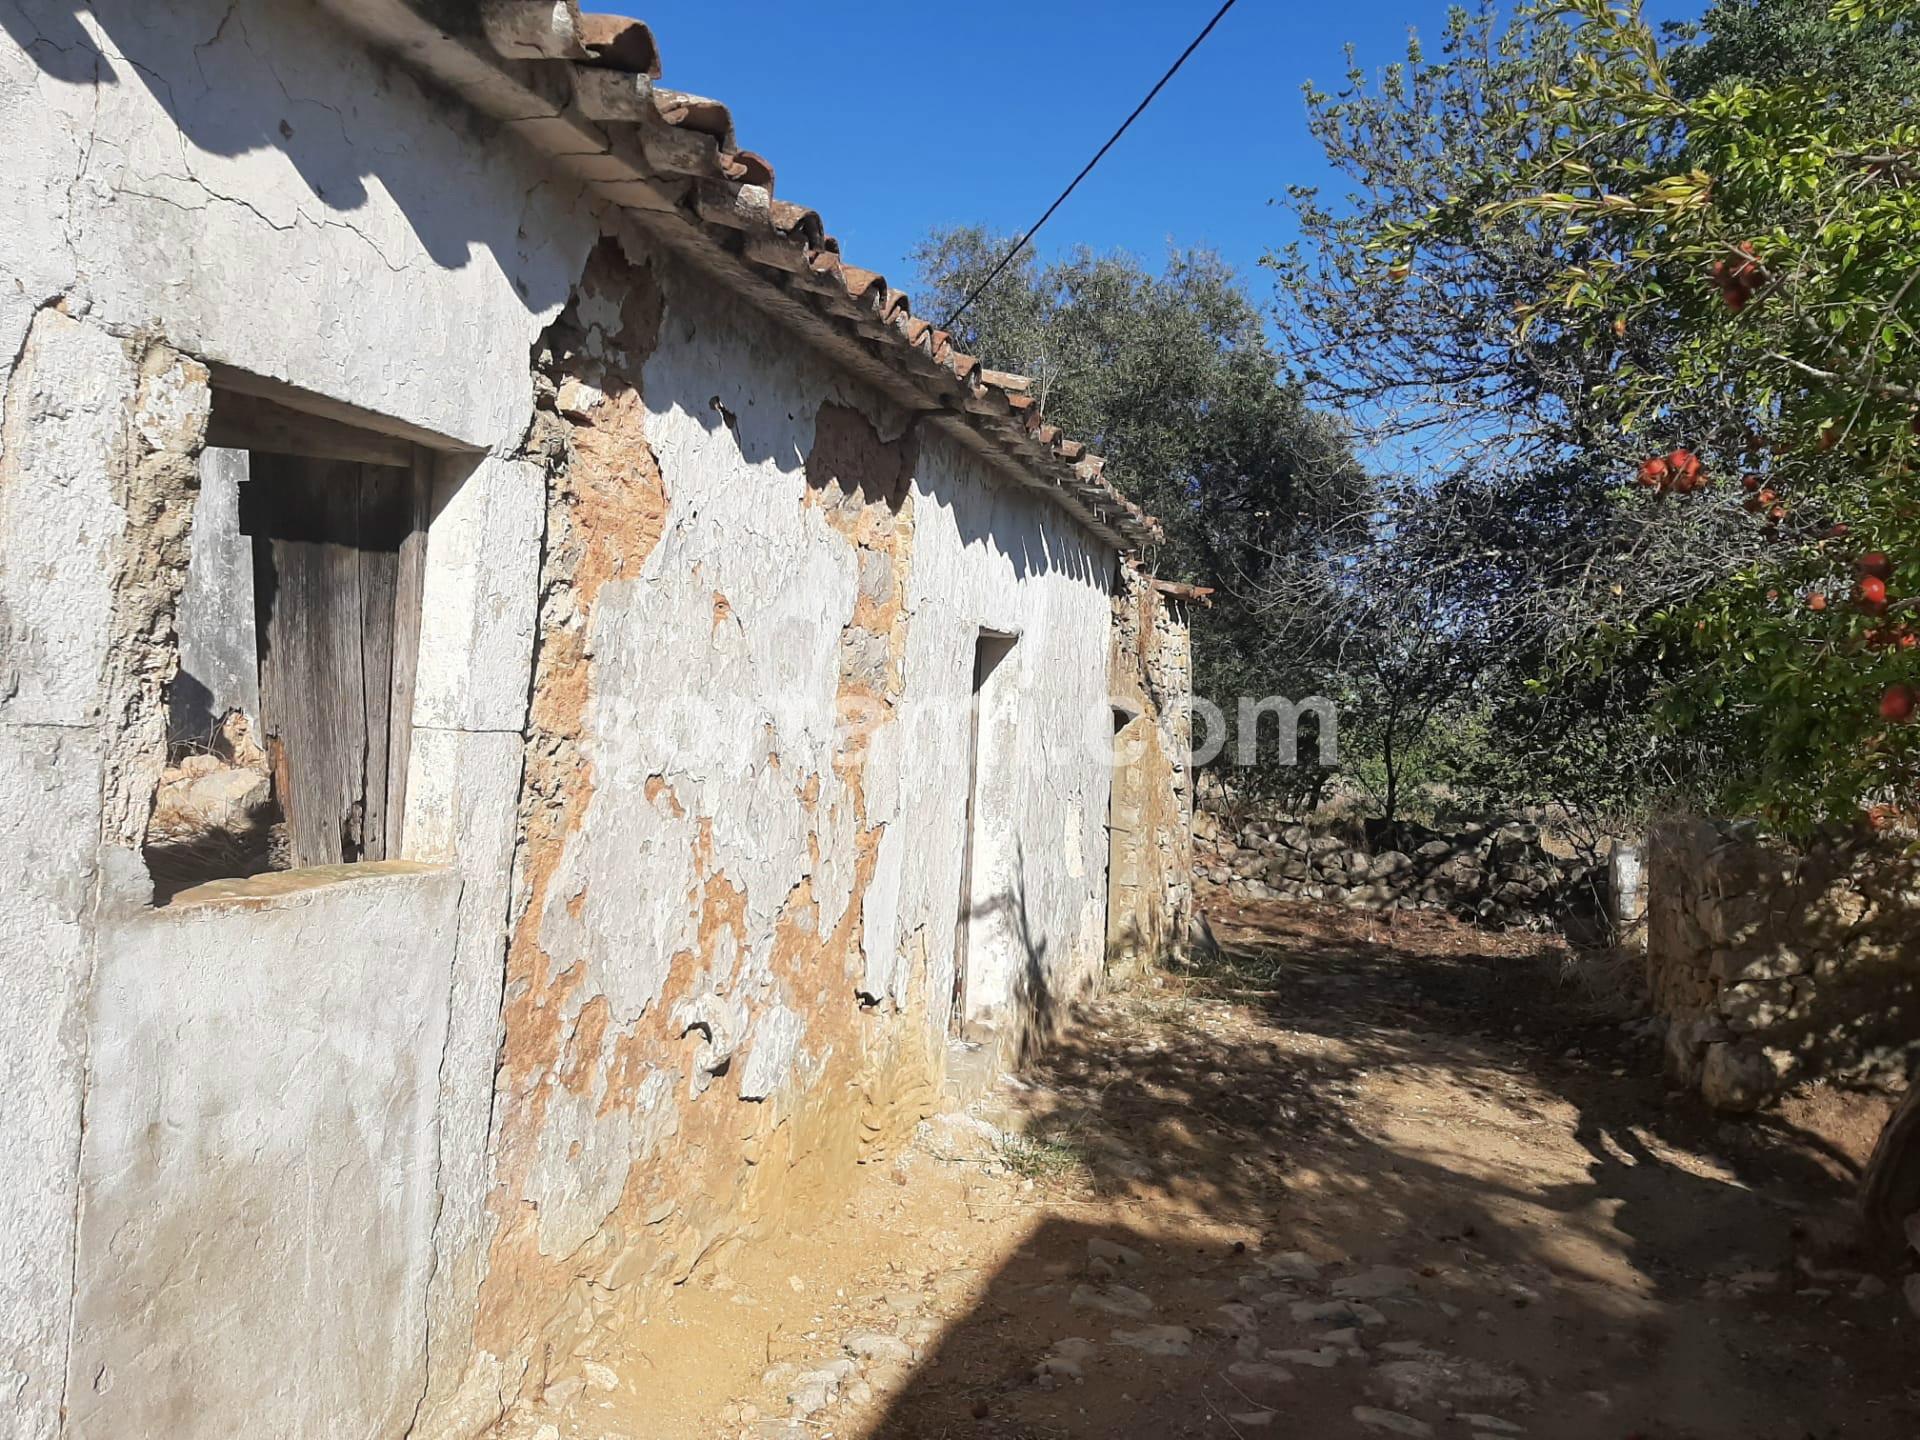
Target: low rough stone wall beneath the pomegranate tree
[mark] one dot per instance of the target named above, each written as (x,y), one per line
(1775,965)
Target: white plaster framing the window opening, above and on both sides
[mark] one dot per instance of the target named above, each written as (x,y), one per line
(251,185)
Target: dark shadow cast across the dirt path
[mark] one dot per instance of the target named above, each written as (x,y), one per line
(1251,1153)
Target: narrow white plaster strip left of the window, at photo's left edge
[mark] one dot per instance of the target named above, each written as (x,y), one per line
(68,395)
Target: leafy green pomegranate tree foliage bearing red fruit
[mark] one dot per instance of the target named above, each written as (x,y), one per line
(1764,233)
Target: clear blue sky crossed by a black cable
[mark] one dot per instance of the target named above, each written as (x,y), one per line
(892,116)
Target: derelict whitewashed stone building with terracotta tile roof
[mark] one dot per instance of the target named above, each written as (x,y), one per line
(537,708)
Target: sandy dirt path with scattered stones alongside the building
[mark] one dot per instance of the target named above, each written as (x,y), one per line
(1364,1184)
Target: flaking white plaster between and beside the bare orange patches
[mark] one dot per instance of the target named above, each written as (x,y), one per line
(727,713)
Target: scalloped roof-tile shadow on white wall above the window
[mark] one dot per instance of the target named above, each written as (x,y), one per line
(233,93)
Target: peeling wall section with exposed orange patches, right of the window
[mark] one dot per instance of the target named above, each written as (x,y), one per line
(721,876)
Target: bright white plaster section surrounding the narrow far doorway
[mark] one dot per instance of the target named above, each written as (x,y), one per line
(990,556)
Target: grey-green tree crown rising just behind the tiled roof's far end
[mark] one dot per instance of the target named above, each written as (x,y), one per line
(1174,381)
